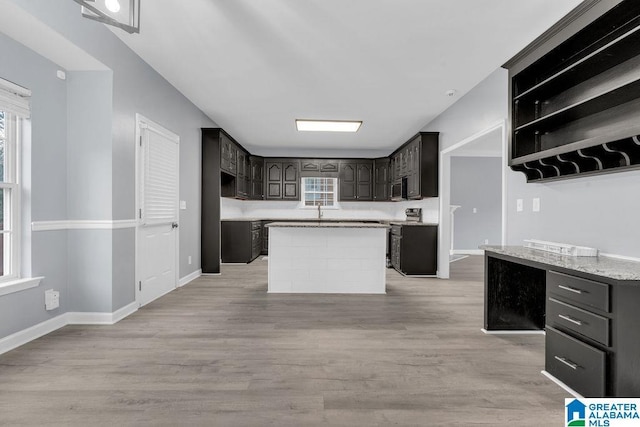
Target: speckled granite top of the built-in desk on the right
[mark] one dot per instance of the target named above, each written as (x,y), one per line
(612,268)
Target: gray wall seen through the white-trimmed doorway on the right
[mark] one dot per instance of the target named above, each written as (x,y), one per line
(476,182)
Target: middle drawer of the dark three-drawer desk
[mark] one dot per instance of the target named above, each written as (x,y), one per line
(575,319)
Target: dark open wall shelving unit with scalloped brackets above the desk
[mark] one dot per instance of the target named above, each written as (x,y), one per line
(575,110)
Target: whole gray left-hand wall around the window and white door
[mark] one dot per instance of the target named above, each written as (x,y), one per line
(83,166)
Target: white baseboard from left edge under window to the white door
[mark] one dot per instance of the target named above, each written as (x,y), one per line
(19,338)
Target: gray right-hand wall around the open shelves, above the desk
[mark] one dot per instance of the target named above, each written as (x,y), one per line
(599,211)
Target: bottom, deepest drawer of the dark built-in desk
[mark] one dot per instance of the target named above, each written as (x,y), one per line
(575,363)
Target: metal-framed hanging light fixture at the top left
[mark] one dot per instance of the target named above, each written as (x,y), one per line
(124,14)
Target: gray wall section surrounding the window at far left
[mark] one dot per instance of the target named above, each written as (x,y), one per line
(46,192)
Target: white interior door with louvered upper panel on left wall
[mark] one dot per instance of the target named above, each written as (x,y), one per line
(157,235)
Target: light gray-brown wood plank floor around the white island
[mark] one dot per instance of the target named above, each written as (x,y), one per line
(221,352)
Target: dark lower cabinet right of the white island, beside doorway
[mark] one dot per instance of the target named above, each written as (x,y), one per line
(414,249)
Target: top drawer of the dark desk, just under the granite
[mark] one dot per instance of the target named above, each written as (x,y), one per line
(579,290)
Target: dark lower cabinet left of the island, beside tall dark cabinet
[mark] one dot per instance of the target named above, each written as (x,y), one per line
(241,241)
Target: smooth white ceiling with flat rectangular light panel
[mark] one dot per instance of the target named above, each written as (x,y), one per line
(255,66)
